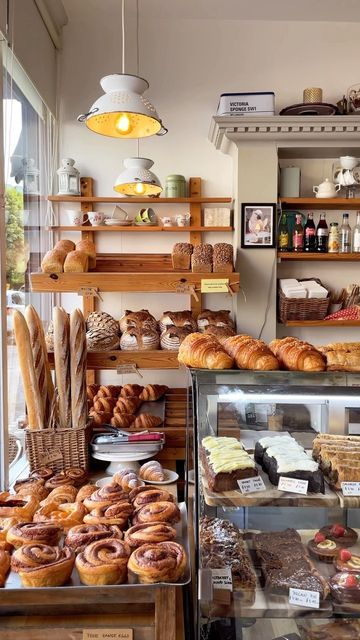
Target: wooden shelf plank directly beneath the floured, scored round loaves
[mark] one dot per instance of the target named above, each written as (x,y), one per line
(101,360)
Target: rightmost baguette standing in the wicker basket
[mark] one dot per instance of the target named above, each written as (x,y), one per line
(78,369)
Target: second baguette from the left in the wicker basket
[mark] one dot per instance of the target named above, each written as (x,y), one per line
(41,362)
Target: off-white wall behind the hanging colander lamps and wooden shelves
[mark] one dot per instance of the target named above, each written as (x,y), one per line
(188,64)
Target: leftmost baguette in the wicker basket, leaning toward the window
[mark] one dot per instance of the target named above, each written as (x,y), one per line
(27,368)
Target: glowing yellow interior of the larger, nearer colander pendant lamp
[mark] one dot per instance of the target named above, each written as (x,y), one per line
(121,124)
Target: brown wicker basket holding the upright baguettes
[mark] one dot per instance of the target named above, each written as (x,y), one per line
(58,448)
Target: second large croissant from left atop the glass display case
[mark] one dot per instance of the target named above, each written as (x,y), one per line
(249,353)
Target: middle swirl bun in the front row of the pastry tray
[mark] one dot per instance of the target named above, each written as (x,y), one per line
(103,562)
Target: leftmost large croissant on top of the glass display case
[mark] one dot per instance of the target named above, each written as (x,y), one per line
(203,351)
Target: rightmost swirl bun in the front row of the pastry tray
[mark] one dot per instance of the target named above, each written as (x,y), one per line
(162,562)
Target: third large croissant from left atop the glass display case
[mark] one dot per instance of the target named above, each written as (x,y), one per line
(296,355)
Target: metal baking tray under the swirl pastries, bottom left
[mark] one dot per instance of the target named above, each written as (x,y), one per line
(13,586)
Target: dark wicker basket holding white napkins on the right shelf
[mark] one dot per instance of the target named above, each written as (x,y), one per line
(302,308)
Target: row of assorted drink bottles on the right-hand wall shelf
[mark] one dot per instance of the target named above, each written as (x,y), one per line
(318,239)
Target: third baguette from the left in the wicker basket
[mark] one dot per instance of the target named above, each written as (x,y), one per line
(62,364)
